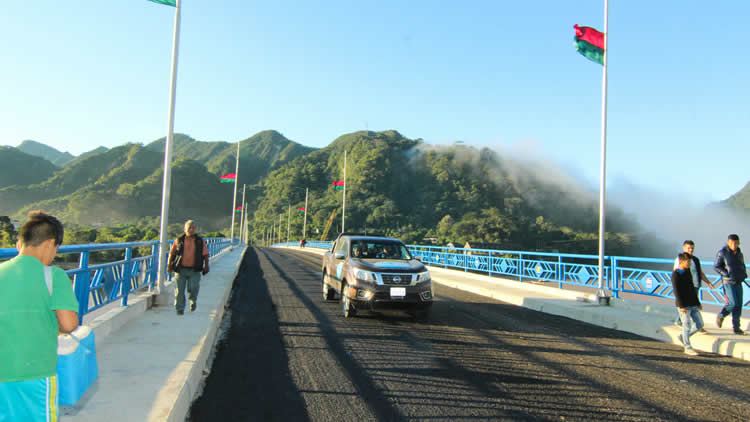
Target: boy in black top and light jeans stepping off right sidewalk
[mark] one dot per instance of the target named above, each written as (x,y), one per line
(687,302)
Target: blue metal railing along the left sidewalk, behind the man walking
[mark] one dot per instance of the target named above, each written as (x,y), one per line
(97,285)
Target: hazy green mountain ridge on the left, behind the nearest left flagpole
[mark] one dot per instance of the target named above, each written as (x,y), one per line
(124,184)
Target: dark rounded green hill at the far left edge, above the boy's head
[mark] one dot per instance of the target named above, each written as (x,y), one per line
(21,169)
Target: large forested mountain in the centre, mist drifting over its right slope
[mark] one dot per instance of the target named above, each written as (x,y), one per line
(401,187)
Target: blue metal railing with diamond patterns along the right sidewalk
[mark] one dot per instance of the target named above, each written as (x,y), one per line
(643,276)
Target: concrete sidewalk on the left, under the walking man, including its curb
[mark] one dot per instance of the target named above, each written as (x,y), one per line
(151,367)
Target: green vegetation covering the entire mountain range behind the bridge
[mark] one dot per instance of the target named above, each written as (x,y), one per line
(395,185)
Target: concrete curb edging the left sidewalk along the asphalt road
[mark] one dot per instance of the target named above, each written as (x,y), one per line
(189,373)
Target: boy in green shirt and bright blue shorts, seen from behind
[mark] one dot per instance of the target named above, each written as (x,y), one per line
(36,303)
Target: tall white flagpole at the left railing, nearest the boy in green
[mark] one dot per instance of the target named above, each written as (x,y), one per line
(168,156)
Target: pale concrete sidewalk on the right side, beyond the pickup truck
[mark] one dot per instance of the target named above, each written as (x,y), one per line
(647,319)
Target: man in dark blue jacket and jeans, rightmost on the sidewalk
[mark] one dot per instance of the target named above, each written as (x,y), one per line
(731,265)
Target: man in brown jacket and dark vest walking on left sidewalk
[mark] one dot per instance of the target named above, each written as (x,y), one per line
(189,259)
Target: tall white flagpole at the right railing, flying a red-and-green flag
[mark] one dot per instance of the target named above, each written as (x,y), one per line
(603,158)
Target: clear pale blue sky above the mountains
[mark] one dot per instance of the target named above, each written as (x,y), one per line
(79,74)
